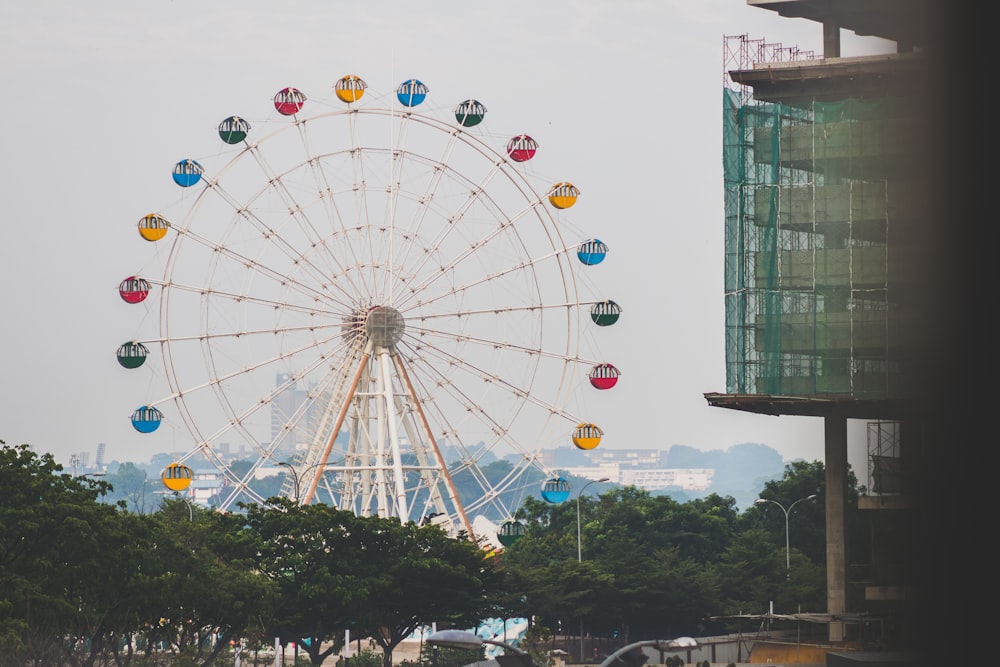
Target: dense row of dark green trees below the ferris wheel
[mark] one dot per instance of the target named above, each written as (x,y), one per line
(87,582)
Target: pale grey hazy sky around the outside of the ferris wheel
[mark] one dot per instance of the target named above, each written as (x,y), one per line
(625,98)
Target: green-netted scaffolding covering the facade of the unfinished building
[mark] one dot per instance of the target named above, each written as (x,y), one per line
(816,202)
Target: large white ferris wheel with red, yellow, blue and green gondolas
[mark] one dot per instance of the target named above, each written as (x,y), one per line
(379,300)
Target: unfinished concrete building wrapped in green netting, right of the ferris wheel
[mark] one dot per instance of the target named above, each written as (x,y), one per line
(833,276)
